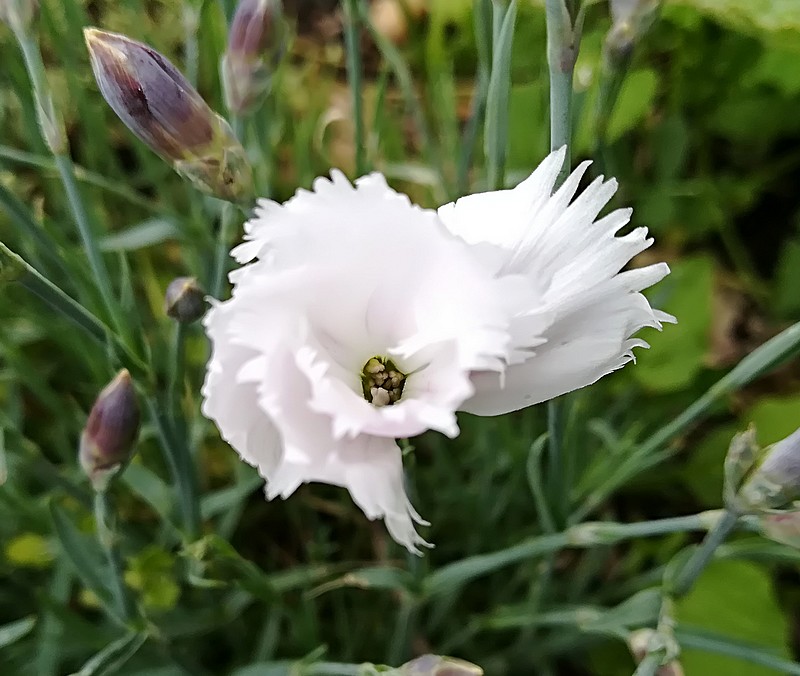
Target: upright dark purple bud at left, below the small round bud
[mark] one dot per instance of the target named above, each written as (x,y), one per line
(110,432)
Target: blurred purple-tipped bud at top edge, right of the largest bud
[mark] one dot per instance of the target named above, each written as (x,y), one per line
(256,44)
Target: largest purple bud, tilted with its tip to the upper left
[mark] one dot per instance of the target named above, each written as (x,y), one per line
(159,106)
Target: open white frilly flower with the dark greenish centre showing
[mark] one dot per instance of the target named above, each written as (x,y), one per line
(359,320)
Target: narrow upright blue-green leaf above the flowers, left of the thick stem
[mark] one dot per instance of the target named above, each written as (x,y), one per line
(496,128)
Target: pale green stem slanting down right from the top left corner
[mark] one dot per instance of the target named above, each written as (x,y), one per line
(53,133)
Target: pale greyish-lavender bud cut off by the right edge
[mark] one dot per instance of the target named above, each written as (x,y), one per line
(776,481)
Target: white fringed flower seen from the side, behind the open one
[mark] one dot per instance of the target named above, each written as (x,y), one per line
(585,310)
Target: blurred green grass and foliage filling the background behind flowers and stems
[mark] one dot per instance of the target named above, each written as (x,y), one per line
(705,142)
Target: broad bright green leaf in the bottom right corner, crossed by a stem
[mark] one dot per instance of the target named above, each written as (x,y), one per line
(736,600)
